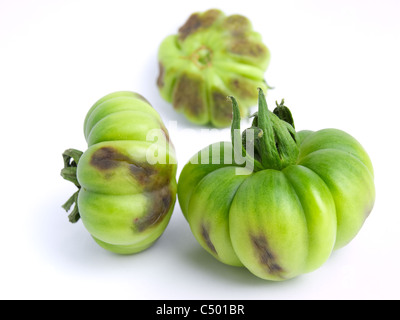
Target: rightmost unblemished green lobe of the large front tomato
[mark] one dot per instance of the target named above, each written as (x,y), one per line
(346,169)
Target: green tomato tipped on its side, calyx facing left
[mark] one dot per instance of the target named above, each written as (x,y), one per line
(127,182)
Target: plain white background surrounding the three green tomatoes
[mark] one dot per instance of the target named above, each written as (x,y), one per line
(336,63)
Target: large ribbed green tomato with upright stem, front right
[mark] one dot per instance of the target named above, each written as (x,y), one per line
(304,195)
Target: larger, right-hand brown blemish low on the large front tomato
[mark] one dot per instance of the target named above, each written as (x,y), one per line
(266,257)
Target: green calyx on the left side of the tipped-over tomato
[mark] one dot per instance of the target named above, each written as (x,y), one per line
(71,158)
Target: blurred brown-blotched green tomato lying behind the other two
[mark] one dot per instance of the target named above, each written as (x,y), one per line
(211,57)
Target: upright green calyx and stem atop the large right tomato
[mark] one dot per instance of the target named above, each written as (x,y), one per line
(271,142)
